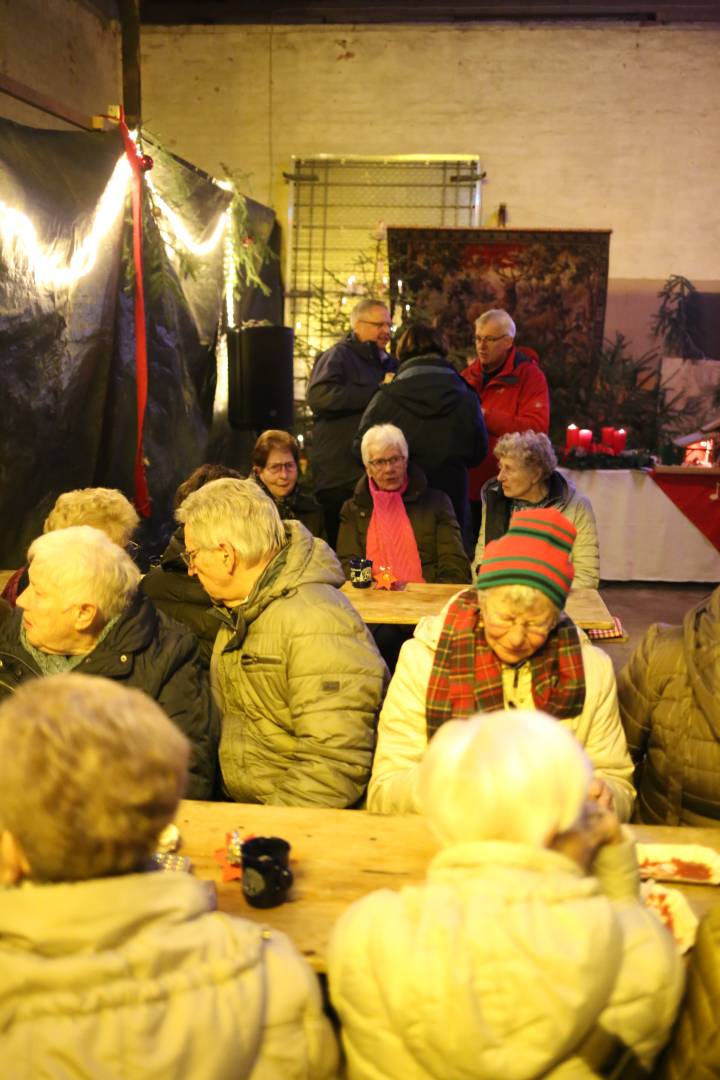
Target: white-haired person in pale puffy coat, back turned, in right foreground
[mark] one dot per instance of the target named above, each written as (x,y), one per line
(527,953)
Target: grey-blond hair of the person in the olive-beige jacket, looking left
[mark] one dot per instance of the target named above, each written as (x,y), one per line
(237,512)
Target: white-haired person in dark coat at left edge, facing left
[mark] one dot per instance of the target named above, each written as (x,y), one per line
(83,613)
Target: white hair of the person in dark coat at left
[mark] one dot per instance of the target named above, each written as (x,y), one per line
(88,568)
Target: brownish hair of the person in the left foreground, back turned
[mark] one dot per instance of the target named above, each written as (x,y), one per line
(91,773)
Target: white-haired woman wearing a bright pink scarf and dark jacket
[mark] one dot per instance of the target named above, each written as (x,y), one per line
(396,520)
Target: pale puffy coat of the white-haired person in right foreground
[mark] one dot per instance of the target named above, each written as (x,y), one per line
(500,966)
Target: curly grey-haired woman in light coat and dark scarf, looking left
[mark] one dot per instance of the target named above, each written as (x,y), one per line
(528,478)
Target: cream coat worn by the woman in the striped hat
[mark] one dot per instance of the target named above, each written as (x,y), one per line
(402,732)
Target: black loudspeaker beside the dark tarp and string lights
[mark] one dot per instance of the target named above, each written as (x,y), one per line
(261,377)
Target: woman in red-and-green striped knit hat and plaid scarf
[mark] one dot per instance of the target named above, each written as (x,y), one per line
(506,645)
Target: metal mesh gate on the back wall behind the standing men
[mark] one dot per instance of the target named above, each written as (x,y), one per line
(339,213)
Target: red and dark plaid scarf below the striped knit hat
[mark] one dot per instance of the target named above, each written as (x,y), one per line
(467,676)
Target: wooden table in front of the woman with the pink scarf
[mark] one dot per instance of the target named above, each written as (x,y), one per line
(409,605)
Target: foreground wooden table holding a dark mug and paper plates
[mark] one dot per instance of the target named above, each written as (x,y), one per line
(339,856)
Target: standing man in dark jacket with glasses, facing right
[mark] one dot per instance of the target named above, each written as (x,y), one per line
(344,381)
